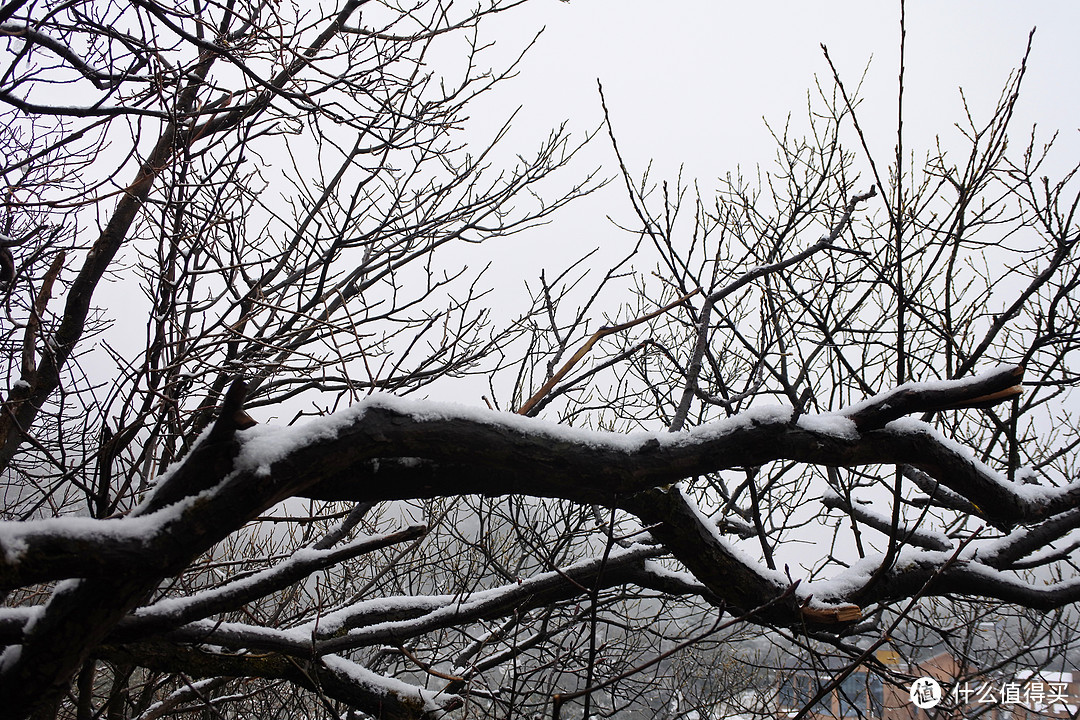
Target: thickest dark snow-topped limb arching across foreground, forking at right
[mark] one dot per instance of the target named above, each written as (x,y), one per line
(390,450)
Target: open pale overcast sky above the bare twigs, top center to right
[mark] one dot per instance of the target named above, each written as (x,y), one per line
(688,83)
